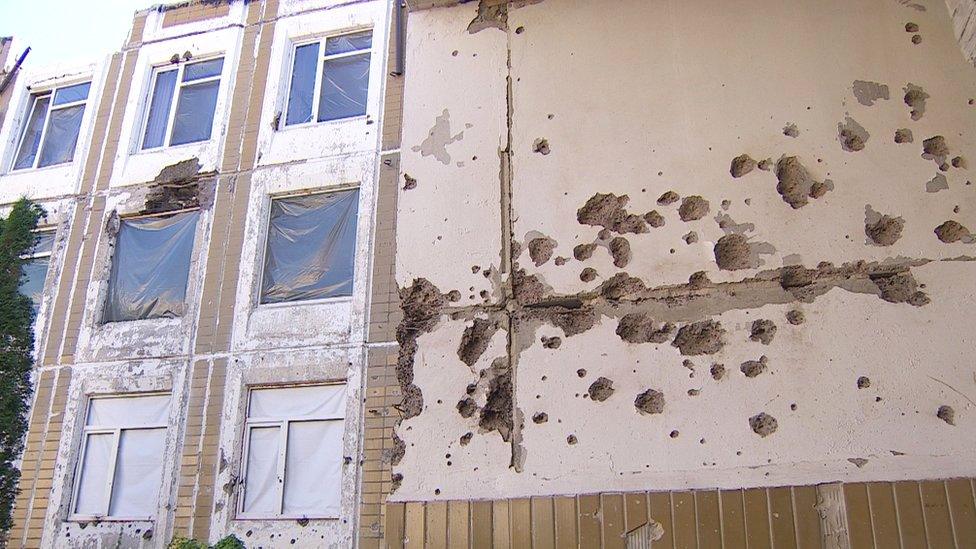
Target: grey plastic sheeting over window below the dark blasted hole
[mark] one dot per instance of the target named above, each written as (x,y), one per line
(150,268)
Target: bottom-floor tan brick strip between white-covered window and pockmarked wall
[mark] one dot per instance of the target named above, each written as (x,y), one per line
(382,396)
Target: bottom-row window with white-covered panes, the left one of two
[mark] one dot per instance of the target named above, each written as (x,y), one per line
(121,464)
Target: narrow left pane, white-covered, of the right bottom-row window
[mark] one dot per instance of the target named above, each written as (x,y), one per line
(261,477)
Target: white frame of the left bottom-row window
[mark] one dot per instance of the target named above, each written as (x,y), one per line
(116,431)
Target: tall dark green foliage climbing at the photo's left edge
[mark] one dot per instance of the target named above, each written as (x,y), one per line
(16,347)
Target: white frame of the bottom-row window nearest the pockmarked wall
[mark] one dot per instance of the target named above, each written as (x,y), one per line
(283,427)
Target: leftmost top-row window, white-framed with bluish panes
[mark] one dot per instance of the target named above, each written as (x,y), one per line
(53,124)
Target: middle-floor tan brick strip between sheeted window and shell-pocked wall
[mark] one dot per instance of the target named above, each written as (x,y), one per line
(384,302)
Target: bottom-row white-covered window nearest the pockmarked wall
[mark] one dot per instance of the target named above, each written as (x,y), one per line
(293,452)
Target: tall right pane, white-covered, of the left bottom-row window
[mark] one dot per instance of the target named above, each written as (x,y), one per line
(138,473)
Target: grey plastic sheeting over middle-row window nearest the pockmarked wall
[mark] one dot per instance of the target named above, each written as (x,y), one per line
(311,247)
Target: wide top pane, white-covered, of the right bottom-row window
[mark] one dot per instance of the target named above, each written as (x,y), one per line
(320,401)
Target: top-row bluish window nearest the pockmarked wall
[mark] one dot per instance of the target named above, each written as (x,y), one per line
(342,82)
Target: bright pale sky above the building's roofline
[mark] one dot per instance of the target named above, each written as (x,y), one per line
(69,32)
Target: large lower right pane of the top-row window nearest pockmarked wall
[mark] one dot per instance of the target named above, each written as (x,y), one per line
(344,87)
